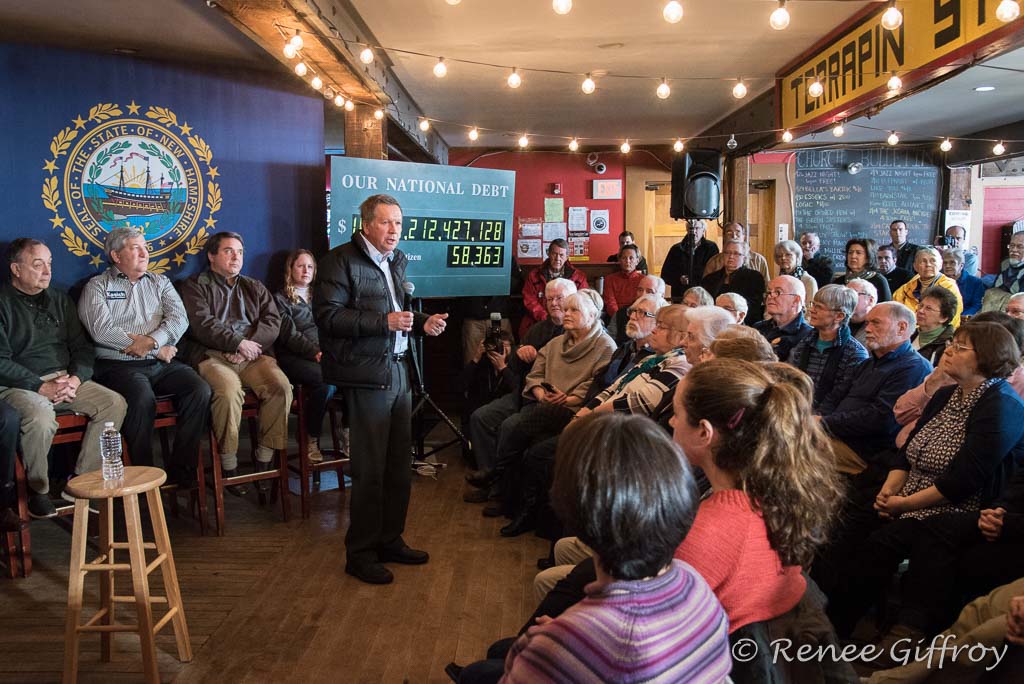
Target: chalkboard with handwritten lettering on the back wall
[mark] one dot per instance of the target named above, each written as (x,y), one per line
(889,185)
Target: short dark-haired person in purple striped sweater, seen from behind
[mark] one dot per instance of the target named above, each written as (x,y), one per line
(639,614)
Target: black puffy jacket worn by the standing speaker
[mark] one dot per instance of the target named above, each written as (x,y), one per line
(351,305)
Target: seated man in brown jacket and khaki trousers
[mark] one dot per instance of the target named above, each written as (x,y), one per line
(233,326)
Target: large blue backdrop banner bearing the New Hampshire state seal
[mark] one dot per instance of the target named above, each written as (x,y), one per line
(93,143)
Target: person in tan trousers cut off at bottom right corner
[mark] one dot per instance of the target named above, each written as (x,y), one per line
(995,622)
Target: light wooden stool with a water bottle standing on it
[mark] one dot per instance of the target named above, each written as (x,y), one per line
(92,486)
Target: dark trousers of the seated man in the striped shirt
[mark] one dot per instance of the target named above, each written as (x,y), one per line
(141,383)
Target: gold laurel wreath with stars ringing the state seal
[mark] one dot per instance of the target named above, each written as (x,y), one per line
(104,112)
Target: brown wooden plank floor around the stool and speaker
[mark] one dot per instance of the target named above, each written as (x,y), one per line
(271,602)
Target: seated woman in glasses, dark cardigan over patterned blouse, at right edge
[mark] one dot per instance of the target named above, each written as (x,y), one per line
(957,461)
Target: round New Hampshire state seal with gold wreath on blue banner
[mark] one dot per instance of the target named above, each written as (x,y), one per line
(133,166)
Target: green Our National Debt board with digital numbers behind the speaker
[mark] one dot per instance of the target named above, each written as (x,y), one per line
(456,226)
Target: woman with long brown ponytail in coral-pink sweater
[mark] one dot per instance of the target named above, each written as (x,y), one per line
(775,488)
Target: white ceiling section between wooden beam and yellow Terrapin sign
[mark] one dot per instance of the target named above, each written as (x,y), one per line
(716,38)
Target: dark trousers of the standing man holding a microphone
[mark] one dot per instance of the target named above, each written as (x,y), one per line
(381,438)
